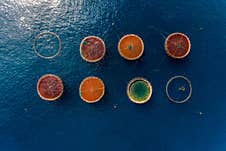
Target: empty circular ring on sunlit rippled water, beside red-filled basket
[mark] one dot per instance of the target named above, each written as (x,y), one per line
(36,41)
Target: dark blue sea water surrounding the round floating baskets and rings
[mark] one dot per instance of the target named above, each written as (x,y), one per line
(29,124)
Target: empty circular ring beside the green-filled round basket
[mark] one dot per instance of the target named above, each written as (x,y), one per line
(190,91)
